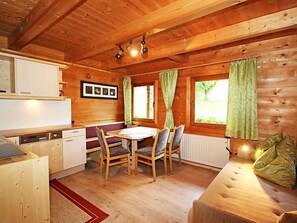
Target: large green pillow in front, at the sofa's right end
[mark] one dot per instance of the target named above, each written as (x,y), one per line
(278,164)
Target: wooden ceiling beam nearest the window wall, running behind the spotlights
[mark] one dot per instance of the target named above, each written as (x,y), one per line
(271,23)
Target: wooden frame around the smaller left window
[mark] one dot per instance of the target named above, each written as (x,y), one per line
(139,120)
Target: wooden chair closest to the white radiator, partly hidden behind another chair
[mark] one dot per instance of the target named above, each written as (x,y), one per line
(174,145)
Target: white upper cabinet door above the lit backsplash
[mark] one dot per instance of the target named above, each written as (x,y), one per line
(36,79)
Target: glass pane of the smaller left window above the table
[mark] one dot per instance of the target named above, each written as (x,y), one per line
(143,102)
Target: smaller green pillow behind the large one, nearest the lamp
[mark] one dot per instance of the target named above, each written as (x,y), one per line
(265,145)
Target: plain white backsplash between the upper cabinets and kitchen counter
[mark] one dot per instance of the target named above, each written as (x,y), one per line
(17,114)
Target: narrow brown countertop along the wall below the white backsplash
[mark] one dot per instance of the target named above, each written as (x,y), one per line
(19,132)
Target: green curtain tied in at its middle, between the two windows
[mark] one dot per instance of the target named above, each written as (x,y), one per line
(168,83)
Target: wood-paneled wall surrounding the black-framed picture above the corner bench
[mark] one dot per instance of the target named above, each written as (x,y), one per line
(85,110)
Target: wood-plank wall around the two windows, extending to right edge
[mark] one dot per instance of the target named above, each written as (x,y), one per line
(276,83)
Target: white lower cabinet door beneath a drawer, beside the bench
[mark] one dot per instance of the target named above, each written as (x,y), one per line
(74,151)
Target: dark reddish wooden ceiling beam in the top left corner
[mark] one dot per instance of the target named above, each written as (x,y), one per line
(45,14)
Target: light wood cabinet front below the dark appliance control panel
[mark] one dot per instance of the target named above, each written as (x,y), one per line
(52,148)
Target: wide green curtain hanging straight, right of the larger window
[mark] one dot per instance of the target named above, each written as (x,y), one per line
(242,117)
